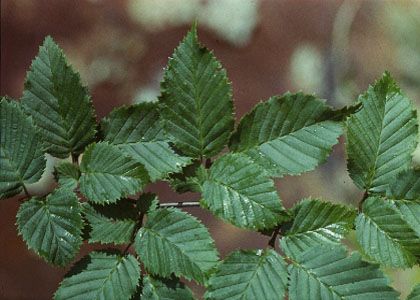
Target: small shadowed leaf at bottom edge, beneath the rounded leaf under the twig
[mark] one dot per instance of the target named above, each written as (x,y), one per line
(165,289)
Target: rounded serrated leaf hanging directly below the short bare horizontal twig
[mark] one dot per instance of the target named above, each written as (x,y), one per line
(174,242)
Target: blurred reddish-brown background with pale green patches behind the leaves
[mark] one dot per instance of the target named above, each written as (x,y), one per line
(331,48)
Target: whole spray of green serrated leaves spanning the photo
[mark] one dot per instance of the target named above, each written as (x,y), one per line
(179,139)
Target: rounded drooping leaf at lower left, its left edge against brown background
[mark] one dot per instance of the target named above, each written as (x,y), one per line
(52,227)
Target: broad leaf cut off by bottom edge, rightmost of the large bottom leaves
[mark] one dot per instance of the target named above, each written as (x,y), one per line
(327,272)
